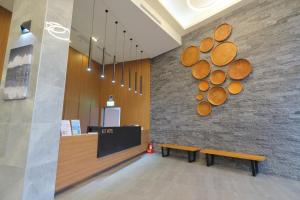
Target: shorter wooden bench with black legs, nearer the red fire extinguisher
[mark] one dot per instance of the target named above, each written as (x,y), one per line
(189,149)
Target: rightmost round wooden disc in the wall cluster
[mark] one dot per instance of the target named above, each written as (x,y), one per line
(239,69)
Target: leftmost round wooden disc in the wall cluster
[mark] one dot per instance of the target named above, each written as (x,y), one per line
(190,56)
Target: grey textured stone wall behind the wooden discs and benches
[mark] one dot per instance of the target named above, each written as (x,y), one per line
(265,117)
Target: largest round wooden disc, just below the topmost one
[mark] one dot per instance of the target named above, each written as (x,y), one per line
(223,54)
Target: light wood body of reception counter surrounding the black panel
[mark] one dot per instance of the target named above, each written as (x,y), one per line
(78,158)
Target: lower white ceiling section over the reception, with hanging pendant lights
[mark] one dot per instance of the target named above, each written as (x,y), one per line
(150,36)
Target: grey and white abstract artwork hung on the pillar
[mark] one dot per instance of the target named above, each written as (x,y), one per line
(17,75)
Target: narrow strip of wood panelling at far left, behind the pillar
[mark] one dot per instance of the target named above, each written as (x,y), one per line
(5,18)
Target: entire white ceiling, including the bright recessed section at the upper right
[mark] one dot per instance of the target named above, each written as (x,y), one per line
(155,25)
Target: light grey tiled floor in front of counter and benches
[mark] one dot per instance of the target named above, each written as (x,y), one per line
(151,177)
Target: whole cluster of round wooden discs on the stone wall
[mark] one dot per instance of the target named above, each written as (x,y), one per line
(212,82)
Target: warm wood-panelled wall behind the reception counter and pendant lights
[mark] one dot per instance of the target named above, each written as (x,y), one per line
(85,91)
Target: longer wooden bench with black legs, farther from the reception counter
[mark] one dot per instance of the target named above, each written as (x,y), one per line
(254,159)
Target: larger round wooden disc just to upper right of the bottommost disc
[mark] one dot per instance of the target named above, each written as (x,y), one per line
(217,95)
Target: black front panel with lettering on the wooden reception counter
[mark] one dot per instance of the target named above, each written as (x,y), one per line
(115,139)
